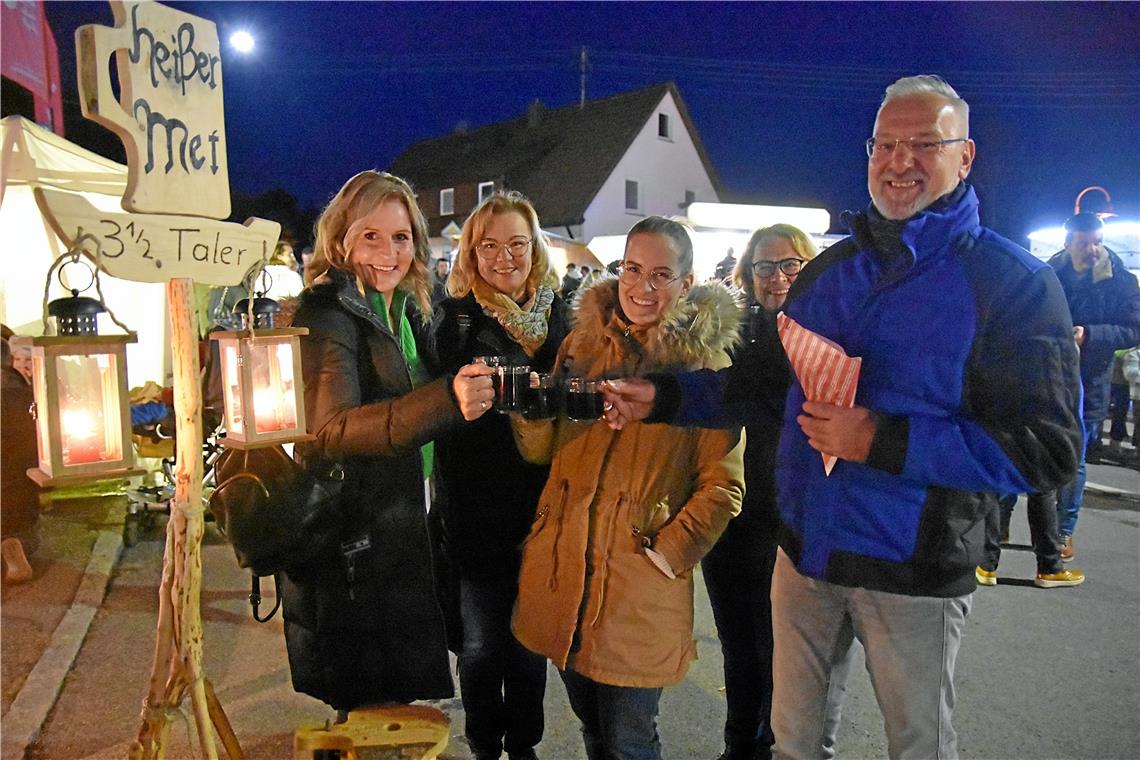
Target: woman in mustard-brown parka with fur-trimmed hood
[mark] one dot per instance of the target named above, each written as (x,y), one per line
(607,583)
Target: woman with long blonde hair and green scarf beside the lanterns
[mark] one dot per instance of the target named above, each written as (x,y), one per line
(363,625)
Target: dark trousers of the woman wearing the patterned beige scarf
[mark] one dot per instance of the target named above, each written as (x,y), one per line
(501,682)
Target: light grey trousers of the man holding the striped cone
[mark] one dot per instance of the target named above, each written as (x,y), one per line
(911,645)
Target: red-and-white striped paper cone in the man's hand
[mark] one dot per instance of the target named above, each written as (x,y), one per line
(823,367)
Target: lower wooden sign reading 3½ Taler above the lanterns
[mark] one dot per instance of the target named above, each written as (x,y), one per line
(156,249)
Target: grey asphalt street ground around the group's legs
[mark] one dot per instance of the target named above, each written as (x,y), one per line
(1043,674)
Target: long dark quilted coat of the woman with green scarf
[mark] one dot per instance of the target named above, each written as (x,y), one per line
(368,628)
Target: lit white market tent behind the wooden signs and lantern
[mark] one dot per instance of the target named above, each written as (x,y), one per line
(32,158)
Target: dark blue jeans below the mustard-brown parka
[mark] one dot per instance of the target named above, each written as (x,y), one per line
(618,723)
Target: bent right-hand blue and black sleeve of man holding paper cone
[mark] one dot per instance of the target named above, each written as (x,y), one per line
(1019,429)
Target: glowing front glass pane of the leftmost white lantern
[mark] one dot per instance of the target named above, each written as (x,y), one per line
(89,413)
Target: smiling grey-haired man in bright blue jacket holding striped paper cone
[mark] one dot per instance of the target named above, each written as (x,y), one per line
(967,391)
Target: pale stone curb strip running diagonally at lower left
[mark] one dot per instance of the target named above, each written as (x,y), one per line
(29,712)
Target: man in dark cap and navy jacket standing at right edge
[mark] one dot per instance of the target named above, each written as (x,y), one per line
(1105,303)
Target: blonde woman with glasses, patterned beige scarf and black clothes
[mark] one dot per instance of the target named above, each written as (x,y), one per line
(502,305)
